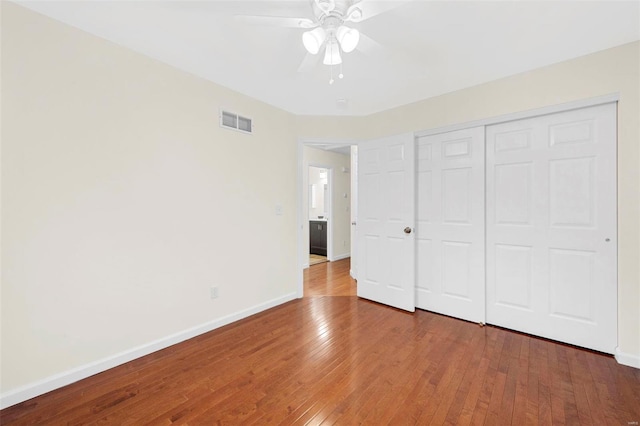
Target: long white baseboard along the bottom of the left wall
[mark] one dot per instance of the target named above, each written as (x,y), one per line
(57,381)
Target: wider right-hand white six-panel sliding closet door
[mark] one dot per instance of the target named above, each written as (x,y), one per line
(551,226)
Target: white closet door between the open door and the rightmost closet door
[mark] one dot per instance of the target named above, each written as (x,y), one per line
(450,230)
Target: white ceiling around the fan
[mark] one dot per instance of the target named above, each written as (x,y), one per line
(426,47)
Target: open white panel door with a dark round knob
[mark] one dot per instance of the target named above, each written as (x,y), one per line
(386,198)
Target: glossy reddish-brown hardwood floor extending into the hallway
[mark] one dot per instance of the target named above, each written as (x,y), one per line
(331,358)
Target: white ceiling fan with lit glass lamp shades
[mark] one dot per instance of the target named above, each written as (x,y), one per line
(328,31)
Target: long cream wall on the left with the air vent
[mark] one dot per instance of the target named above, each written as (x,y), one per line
(123,201)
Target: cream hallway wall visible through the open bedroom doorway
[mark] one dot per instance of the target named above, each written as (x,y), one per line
(341,182)
